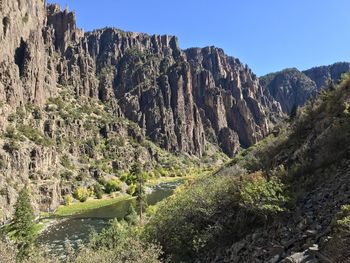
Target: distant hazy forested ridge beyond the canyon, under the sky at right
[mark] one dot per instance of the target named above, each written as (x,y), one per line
(292,88)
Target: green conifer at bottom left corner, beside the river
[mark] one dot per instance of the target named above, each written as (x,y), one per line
(22,225)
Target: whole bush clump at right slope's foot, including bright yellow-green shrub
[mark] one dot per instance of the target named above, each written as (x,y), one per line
(212,210)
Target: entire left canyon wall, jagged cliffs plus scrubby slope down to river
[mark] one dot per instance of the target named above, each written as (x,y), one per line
(77,107)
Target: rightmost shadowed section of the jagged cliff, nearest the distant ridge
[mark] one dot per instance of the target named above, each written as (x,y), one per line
(230,97)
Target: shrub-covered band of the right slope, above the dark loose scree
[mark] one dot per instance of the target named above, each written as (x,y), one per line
(277,172)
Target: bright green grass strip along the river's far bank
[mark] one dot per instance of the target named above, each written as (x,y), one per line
(77,208)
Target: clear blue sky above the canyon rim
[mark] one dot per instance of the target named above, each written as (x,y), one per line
(268,35)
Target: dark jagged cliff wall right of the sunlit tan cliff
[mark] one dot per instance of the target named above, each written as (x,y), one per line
(181,98)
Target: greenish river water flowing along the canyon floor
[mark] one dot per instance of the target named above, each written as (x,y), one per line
(76,229)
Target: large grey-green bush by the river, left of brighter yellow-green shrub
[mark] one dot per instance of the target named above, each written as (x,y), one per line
(184,224)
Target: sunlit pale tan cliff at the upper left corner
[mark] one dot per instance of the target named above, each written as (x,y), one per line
(26,68)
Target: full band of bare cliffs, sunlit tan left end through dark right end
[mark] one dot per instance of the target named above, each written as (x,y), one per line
(181,98)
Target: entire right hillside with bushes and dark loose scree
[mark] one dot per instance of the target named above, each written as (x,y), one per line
(286,199)
